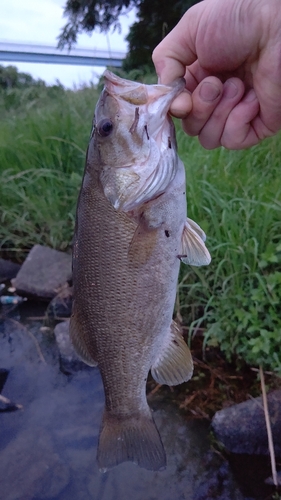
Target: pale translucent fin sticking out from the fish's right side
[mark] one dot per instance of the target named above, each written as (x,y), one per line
(193,249)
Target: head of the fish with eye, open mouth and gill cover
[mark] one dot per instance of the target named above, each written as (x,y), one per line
(132,132)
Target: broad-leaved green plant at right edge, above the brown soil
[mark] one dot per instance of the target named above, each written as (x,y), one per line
(250,324)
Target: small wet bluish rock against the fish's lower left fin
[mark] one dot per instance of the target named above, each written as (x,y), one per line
(69,361)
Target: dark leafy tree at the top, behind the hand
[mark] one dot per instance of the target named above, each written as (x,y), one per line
(155,19)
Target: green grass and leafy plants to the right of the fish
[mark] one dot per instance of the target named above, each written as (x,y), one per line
(235,197)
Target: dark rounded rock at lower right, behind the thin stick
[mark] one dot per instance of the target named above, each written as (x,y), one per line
(241,428)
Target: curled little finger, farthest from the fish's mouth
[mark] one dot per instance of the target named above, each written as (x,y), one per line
(239,132)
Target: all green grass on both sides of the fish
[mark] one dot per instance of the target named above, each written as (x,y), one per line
(234,196)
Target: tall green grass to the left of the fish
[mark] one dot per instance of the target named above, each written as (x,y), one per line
(42,154)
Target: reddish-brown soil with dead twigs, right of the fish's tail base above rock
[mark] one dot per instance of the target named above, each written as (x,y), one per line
(215,384)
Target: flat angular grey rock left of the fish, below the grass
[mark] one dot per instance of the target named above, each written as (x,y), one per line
(43,273)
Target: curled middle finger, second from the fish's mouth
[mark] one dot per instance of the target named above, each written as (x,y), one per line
(205,98)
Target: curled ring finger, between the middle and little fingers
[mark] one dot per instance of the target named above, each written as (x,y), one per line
(210,135)
